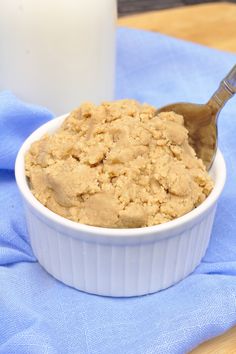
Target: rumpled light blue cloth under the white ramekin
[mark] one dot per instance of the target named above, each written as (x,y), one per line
(38,314)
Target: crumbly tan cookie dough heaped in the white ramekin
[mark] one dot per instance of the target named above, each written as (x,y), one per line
(118,165)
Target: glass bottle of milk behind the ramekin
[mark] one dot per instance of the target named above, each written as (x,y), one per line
(58,53)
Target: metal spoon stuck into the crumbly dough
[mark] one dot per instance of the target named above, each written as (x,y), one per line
(201,119)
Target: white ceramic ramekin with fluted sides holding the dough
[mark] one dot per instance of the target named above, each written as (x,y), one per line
(117,262)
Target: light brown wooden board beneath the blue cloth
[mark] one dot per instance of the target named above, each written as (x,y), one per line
(213,25)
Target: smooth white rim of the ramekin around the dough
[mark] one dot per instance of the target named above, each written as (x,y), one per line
(217,172)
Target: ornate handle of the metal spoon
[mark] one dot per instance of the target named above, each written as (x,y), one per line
(225,91)
